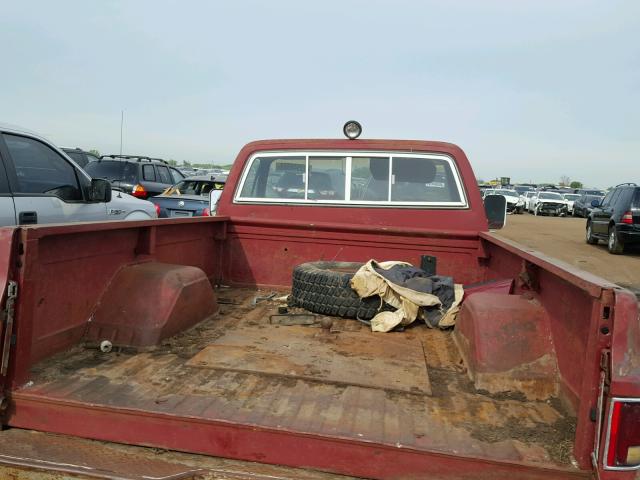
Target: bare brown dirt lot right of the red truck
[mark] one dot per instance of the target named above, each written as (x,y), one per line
(564,238)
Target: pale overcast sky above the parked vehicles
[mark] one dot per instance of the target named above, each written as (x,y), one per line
(531,90)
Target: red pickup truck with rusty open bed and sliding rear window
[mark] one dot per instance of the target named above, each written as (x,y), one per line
(538,378)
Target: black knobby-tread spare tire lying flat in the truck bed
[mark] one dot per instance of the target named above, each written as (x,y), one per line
(324,288)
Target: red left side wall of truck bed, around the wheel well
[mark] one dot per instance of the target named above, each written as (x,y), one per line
(66,269)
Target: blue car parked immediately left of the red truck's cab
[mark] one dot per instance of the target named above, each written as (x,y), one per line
(188,198)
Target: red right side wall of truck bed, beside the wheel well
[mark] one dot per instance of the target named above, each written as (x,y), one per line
(578,305)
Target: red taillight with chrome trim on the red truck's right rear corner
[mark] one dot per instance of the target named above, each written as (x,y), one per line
(622,448)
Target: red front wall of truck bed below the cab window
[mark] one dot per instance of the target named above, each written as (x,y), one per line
(261,252)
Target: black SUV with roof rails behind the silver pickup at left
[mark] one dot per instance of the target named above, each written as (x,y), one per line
(142,177)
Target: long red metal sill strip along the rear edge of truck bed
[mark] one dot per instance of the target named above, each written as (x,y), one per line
(278,446)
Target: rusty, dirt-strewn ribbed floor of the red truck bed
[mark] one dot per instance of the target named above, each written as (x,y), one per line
(453,418)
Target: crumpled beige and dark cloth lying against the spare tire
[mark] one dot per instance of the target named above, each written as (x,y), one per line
(414,294)
